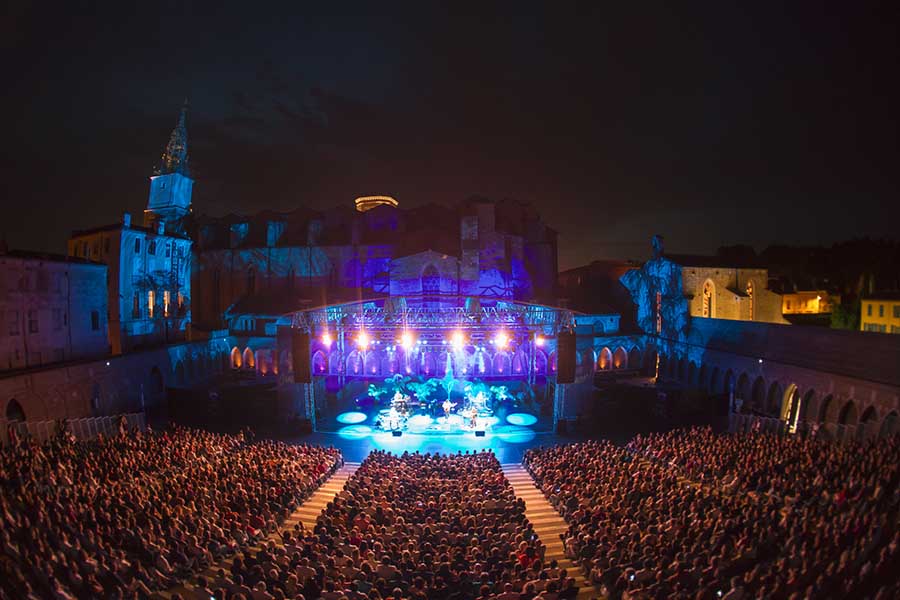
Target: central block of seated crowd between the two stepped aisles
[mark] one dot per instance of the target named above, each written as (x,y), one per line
(411,526)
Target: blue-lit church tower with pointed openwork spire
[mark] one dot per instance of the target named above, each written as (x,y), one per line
(171,185)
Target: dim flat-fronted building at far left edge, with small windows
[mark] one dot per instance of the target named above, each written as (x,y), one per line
(52,309)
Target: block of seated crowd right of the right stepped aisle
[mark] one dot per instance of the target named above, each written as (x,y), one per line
(694,514)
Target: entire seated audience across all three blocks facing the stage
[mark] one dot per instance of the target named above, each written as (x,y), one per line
(686,514)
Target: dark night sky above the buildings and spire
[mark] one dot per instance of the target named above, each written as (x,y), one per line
(713,125)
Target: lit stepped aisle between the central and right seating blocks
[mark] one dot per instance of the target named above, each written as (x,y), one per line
(547,524)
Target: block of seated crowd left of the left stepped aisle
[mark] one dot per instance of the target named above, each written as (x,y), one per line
(120,517)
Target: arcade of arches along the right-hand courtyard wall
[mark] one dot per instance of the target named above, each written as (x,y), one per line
(785,400)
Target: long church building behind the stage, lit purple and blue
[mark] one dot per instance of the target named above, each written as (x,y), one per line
(248,271)
